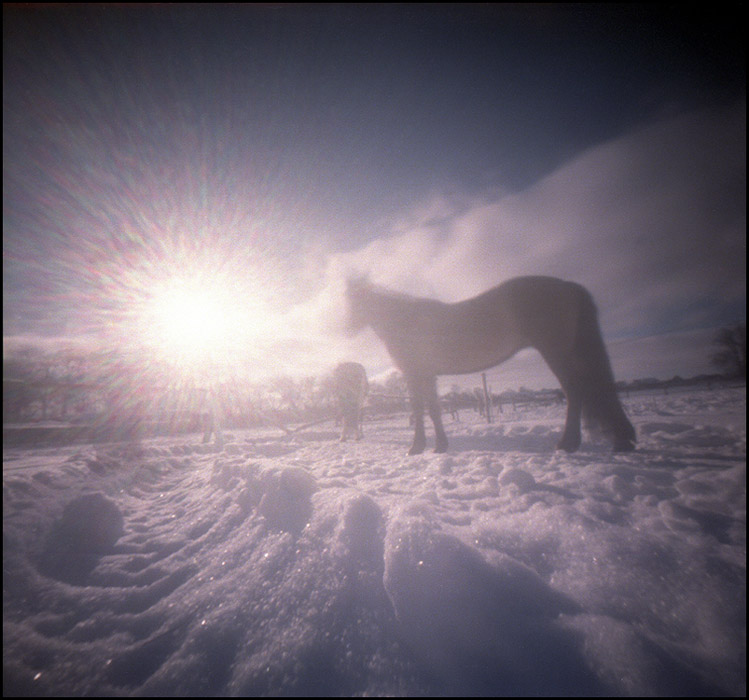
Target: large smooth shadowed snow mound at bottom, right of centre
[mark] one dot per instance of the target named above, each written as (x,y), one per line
(479,626)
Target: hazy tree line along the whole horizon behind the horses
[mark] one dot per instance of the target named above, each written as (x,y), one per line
(98,386)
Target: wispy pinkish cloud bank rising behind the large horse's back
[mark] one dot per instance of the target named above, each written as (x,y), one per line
(653,223)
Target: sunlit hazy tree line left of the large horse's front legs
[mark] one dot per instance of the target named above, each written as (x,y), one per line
(111,386)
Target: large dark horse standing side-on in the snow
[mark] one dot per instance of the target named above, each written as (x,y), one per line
(427,338)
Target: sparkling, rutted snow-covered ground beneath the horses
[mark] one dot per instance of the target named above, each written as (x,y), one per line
(297,565)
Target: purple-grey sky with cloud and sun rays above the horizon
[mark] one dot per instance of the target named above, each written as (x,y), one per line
(269,151)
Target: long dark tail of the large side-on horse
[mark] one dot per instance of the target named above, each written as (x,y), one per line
(601,408)
